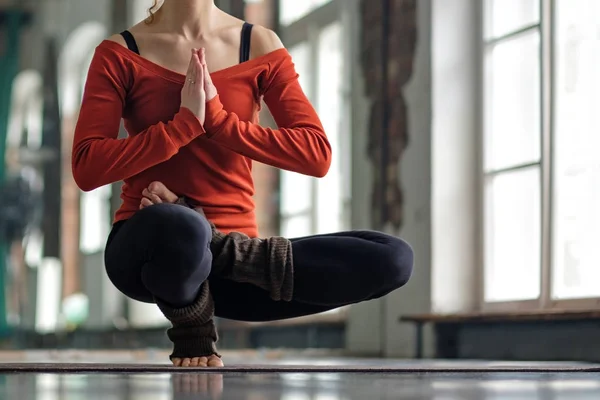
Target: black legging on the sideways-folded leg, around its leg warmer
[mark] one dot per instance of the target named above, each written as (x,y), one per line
(330,271)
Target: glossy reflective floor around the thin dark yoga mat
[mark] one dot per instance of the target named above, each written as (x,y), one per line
(344,384)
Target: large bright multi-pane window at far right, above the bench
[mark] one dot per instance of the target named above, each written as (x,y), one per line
(541,176)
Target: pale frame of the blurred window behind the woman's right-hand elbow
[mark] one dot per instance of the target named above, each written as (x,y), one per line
(307,30)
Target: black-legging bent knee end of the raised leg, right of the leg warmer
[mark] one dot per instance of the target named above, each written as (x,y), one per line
(349,267)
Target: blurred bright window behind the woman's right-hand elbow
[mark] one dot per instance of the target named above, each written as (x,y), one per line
(309,205)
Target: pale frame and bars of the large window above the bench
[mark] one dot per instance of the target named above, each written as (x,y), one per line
(545,301)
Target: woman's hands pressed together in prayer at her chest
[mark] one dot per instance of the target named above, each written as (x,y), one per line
(198,88)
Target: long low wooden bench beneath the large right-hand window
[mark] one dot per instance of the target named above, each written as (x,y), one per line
(447,322)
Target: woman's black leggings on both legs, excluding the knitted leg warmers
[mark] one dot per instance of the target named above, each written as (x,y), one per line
(163,252)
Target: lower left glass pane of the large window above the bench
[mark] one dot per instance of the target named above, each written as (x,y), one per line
(512,232)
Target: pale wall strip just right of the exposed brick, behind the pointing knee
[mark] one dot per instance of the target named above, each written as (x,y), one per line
(416,182)
